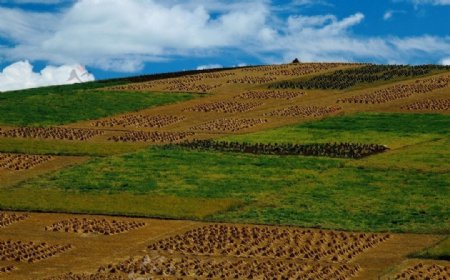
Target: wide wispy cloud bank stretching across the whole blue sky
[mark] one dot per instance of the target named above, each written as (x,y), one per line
(124,35)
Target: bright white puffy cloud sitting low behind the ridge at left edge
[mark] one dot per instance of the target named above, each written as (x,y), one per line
(20,75)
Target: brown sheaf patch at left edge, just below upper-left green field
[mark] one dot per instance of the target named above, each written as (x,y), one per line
(59,133)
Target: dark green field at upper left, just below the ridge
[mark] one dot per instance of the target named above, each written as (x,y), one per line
(62,105)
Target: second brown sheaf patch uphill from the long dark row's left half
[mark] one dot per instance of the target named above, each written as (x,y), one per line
(224,107)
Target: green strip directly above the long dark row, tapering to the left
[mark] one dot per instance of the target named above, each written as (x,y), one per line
(386,128)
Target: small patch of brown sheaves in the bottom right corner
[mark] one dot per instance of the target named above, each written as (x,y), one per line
(425,271)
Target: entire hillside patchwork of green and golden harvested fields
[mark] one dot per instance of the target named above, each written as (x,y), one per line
(303,170)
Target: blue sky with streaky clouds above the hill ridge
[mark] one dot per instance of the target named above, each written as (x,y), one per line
(115,38)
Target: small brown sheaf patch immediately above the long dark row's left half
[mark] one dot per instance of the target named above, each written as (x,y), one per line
(229,124)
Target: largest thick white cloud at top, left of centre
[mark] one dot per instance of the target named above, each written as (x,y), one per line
(119,31)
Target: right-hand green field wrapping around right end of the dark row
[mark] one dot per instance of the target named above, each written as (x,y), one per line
(417,141)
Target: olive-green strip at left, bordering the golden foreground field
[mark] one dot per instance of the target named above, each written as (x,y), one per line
(144,205)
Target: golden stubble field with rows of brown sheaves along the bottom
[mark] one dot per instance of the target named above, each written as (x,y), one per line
(48,246)
